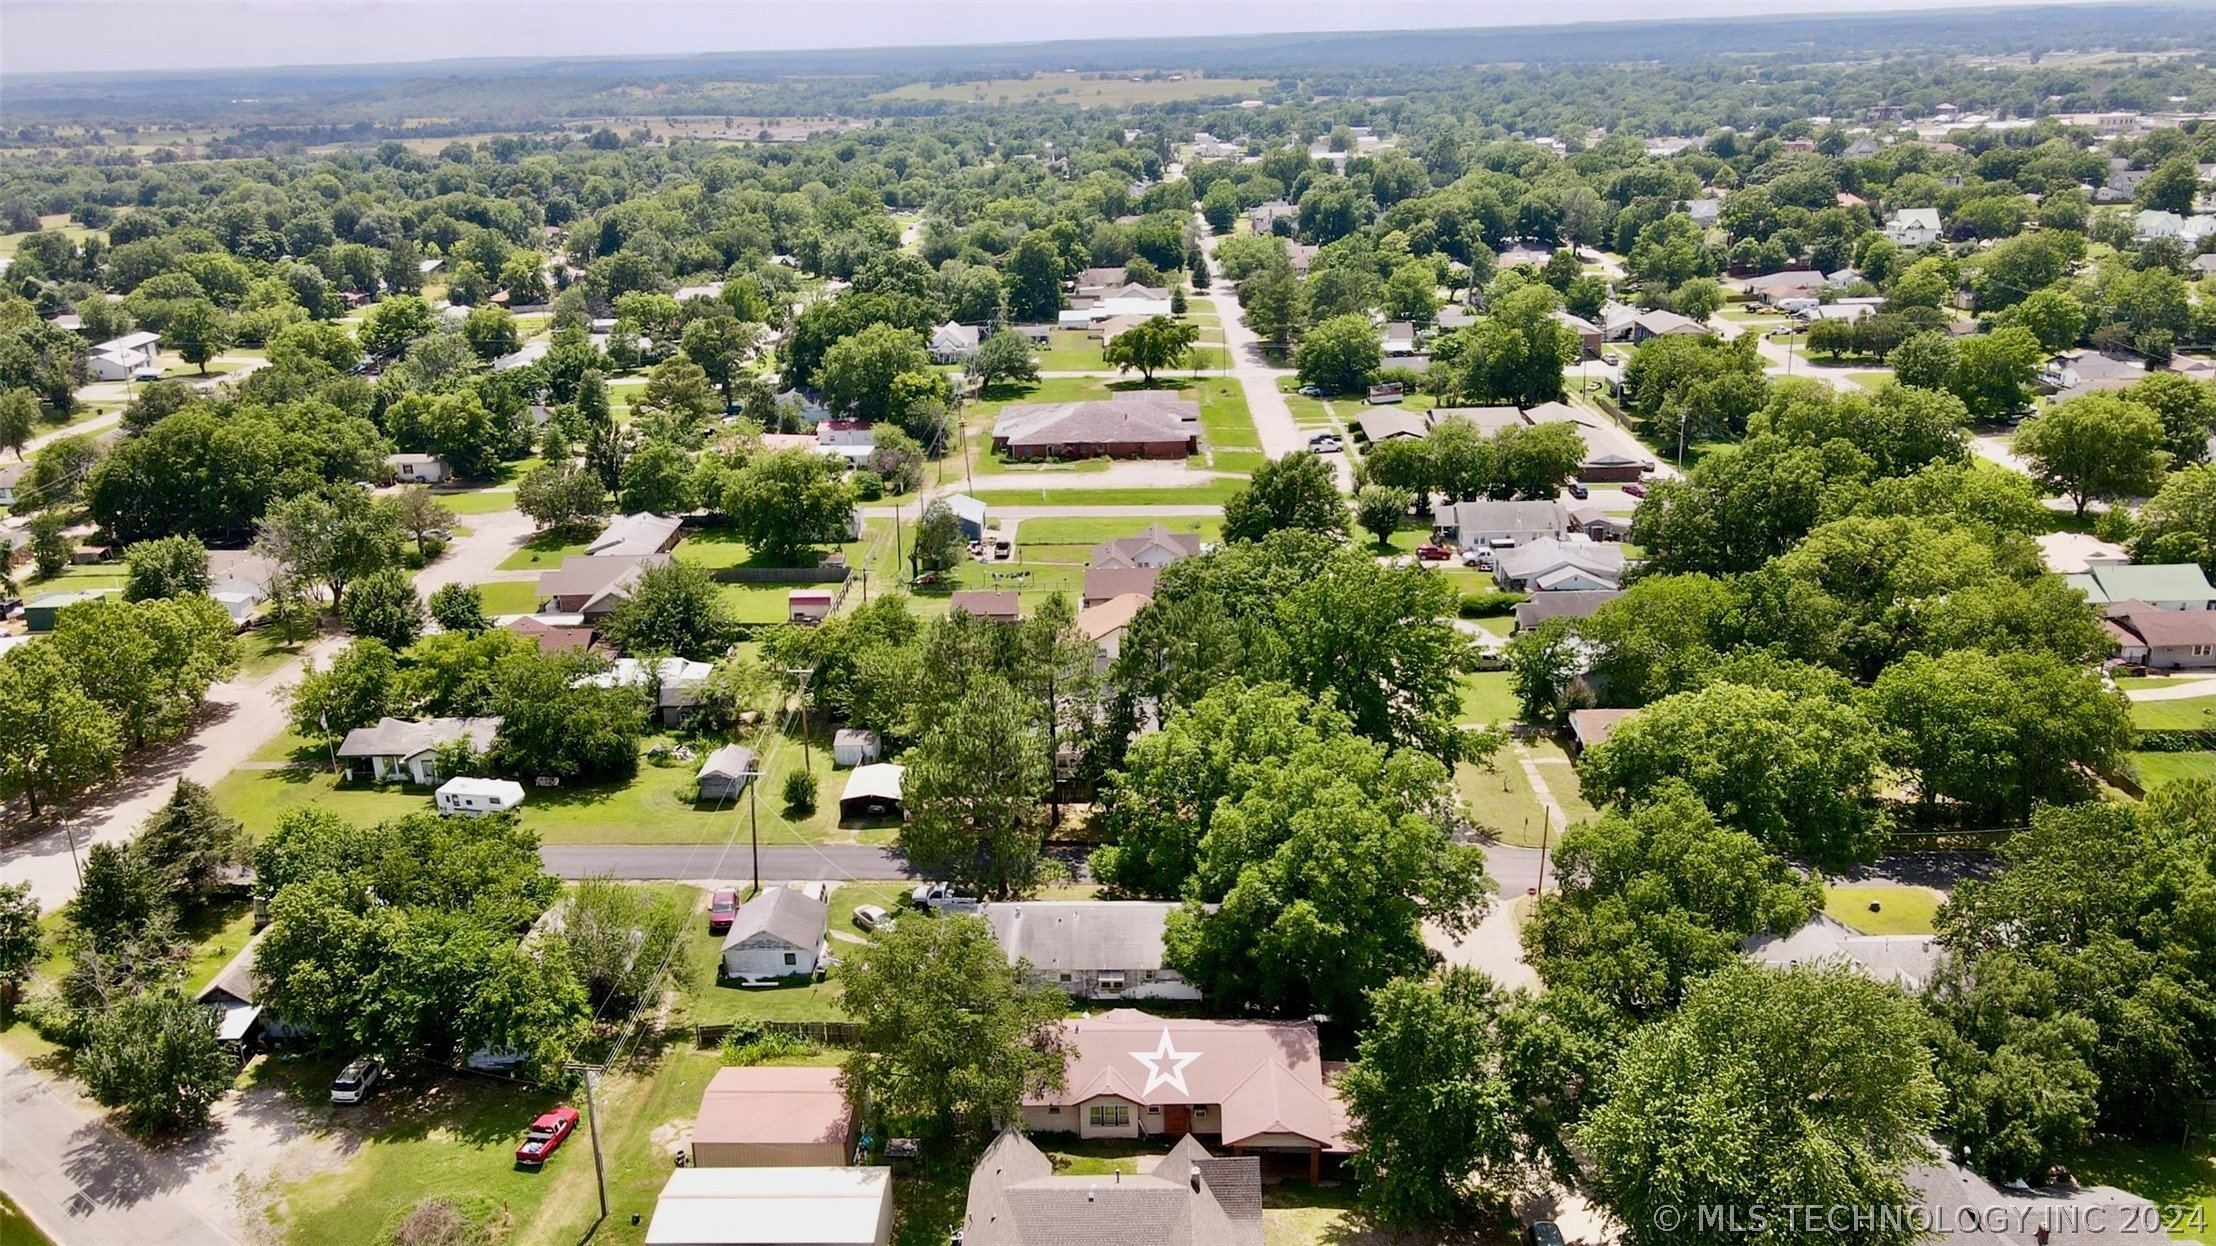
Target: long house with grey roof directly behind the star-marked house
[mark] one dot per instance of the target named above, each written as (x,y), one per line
(1091,950)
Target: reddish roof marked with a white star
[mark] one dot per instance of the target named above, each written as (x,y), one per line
(1269,1076)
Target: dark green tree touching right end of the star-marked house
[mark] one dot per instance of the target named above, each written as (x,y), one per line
(1430,1099)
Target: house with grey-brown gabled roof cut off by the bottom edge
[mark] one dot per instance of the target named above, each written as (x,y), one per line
(1189,1198)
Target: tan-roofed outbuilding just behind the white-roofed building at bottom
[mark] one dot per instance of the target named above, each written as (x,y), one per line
(774,1119)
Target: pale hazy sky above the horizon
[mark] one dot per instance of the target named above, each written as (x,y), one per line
(52,37)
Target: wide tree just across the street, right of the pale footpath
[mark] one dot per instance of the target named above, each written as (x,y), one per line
(1816,762)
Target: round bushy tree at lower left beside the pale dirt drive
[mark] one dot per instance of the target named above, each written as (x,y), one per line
(158,1061)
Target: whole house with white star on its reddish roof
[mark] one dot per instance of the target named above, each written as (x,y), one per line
(1249,1085)
